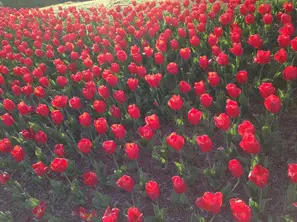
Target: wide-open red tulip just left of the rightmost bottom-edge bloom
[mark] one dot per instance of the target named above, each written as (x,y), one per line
(211,202)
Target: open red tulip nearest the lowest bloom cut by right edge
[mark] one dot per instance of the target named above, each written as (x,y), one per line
(259,176)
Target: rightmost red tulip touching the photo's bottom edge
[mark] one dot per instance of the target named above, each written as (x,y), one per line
(240,210)
